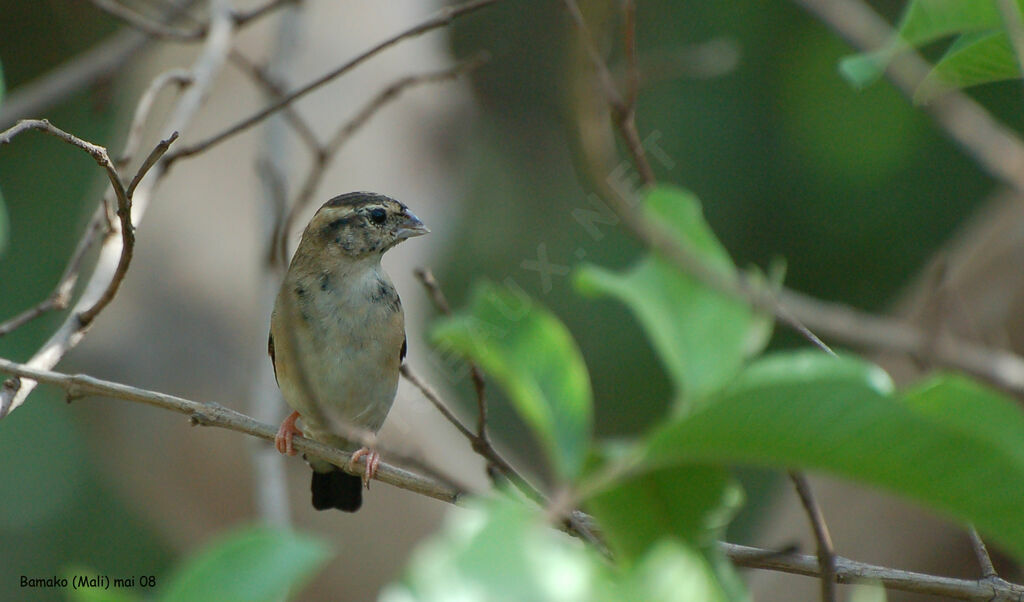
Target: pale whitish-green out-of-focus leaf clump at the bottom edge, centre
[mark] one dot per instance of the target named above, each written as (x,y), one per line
(502,550)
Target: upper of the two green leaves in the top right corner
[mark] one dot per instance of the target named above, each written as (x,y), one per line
(923,22)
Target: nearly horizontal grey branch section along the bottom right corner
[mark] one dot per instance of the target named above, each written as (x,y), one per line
(851,572)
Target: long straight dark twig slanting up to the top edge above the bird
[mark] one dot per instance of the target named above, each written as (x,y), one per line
(443,19)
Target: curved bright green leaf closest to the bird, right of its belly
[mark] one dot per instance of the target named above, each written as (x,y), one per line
(534,358)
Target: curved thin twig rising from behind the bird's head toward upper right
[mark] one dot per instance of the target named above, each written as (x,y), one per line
(326,154)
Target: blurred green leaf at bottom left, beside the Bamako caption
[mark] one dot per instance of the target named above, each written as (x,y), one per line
(255,564)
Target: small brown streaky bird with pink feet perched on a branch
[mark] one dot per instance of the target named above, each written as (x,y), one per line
(338,336)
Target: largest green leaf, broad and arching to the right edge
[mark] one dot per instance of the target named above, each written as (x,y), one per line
(951,444)
